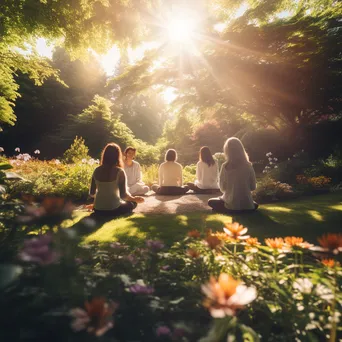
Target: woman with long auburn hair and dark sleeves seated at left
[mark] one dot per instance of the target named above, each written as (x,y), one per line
(108,185)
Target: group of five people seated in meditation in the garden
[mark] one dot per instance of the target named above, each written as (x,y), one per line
(117,185)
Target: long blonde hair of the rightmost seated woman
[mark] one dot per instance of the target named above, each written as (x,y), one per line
(235,153)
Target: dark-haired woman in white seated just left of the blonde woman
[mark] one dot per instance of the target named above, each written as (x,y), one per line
(206,173)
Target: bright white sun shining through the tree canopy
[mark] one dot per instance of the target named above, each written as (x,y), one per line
(181,28)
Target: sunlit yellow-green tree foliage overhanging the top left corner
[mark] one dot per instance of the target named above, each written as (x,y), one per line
(78,25)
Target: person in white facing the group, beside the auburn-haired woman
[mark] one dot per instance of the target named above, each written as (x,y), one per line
(133,173)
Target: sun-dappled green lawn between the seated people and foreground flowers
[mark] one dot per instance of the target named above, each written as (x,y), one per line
(307,217)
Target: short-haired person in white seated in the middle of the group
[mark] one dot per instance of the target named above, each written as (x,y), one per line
(170,176)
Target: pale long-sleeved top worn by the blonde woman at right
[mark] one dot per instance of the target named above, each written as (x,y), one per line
(236,186)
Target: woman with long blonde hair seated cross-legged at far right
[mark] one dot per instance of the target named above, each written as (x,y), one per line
(236,180)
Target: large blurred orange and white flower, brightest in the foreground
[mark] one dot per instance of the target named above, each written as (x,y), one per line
(226,295)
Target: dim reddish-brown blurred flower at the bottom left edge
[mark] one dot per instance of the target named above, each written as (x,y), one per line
(96,318)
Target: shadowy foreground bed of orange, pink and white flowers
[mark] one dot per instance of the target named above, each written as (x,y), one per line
(209,286)
